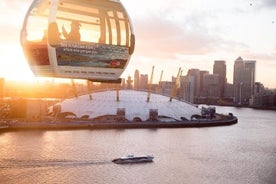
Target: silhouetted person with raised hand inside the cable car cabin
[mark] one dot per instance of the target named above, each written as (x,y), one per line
(74,34)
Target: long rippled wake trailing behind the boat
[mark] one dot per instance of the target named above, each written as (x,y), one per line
(16,163)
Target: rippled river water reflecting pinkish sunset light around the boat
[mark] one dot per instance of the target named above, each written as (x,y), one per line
(241,153)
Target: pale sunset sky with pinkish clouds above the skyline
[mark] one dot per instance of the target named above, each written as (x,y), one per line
(171,34)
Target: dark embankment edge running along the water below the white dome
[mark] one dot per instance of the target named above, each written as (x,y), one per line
(63,125)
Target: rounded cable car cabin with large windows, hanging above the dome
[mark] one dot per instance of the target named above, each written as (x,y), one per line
(82,39)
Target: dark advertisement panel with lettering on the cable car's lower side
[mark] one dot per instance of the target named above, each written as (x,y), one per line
(91,55)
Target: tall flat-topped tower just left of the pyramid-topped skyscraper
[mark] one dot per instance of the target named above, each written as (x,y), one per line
(220,69)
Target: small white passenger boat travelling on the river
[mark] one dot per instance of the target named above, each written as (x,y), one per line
(133,159)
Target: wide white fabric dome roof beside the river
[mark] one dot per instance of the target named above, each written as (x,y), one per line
(134,102)
